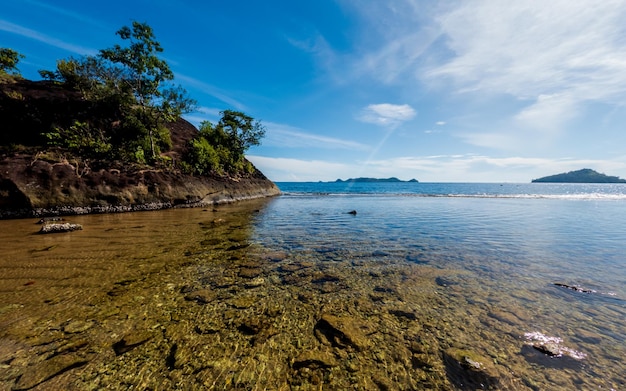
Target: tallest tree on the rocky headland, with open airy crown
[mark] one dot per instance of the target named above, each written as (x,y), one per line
(133,79)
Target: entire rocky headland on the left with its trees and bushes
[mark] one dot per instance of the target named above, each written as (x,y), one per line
(105,133)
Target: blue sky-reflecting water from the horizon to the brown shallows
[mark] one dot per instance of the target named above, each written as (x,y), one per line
(571,232)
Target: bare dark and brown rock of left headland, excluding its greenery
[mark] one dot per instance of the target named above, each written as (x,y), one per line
(42,184)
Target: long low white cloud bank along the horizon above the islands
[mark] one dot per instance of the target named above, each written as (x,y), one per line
(439,168)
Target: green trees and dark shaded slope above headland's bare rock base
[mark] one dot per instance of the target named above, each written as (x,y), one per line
(117,106)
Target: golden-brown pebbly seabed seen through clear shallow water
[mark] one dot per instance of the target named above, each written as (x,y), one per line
(181,299)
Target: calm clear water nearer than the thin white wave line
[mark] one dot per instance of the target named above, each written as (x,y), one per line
(297,294)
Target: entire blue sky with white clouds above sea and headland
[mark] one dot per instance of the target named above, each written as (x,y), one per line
(439,91)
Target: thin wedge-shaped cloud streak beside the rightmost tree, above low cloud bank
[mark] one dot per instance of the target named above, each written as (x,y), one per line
(292,137)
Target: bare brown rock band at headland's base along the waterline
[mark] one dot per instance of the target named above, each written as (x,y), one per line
(32,187)
